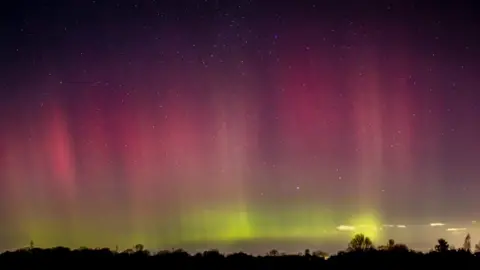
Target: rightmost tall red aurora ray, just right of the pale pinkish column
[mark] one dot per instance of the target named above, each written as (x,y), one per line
(400,130)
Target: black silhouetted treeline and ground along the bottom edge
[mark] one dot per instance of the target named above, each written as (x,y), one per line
(360,254)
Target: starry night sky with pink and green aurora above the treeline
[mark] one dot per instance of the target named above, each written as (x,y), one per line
(236,123)
